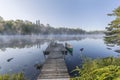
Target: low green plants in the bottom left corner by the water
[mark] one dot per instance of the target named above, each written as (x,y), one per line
(19,76)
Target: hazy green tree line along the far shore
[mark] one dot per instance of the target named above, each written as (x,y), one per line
(12,27)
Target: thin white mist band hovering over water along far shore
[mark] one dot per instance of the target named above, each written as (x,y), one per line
(7,38)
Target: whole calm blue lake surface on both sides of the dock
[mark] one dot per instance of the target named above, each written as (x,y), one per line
(27,51)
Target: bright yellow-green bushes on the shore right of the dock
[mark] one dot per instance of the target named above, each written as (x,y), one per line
(99,69)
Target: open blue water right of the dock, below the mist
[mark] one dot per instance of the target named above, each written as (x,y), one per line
(90,48)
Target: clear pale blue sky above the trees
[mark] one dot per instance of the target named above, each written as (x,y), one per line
(85,14)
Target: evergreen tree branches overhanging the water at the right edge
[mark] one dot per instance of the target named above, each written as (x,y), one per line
(113,31)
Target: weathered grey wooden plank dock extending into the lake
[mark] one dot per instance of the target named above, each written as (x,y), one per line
(54,67)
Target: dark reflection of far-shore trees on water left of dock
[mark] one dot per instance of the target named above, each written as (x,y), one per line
(21,44)
